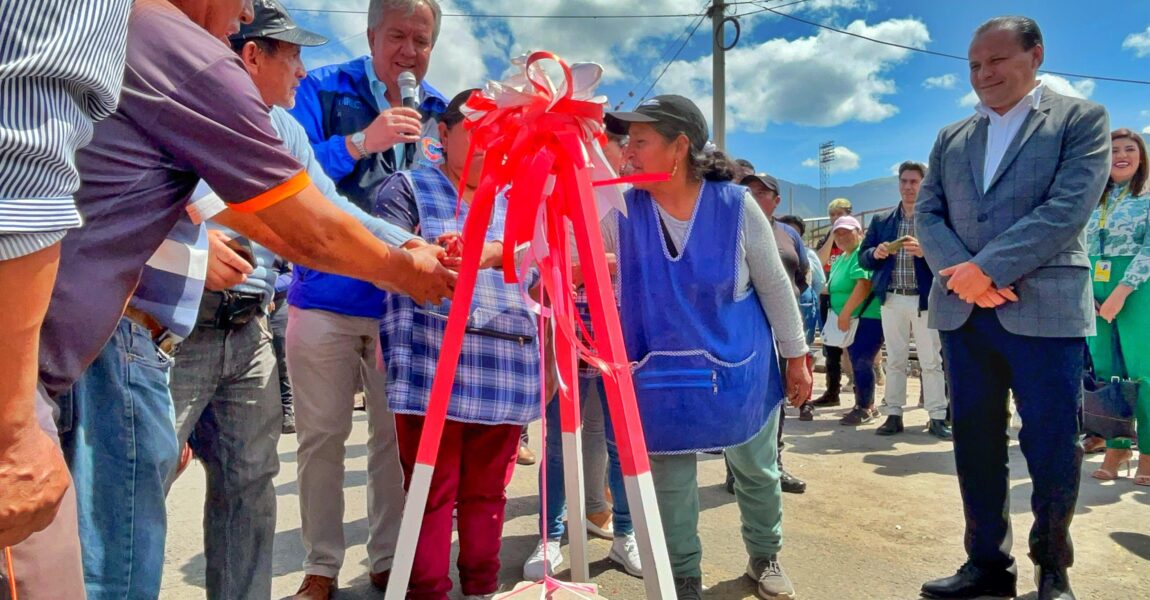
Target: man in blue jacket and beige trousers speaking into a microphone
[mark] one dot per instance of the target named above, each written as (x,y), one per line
(362,134)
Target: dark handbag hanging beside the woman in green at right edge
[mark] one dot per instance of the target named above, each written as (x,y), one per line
(1108,409)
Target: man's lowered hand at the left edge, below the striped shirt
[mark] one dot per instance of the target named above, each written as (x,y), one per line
(34,478)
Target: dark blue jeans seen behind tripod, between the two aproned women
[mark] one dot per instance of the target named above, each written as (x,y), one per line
(557,496)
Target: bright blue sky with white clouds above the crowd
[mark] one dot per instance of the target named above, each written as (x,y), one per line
(791,86)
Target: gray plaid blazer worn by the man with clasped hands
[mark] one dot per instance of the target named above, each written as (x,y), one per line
(1026,230)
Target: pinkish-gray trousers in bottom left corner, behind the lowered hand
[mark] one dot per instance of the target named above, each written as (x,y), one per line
(48,565)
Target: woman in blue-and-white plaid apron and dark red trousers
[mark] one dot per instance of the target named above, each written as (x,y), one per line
(497,381)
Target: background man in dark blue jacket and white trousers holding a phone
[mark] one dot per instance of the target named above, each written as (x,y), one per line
(902,284)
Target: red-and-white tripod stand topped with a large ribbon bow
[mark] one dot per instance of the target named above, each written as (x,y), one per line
(541,145)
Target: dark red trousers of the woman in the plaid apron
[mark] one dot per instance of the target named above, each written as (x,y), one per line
(471,474)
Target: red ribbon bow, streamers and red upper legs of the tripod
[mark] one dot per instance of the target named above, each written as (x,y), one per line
(525,148)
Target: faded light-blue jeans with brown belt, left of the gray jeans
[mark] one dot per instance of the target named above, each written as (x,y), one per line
(118,432)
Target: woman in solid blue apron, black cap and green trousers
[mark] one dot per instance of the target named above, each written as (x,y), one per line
(706,302)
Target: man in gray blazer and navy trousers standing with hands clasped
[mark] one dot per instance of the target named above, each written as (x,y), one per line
(1001,218)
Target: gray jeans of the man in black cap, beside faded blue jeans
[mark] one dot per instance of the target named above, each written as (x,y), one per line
(226,389)
